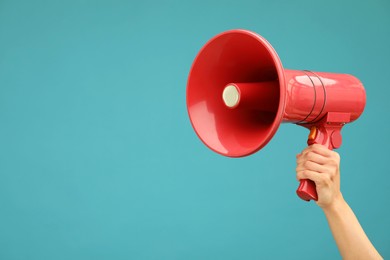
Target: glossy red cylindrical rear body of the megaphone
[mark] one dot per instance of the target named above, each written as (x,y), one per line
(310,95)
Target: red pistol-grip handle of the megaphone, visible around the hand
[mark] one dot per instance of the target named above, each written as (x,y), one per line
(329,136)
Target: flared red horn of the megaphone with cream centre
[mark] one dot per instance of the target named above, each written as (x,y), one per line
(236,93)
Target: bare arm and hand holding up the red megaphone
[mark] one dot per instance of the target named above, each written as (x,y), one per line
(322,166)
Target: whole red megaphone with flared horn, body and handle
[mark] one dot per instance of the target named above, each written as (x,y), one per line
(238,93)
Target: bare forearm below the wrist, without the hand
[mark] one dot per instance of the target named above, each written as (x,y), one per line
(350,237)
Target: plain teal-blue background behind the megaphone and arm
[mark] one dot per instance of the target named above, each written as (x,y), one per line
(98,159)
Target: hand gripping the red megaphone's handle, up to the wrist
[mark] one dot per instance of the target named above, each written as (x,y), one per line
(322,166)
